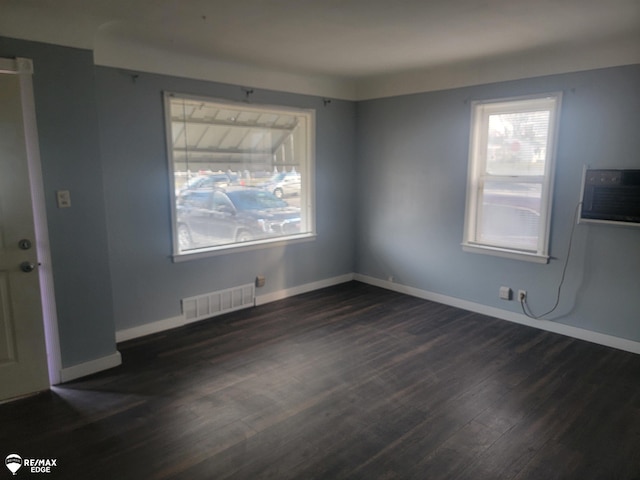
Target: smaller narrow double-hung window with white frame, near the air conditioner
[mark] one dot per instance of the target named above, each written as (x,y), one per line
(511,164)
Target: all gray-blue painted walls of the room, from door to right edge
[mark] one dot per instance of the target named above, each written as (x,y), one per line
(390,191)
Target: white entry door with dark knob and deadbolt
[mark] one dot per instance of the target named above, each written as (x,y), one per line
(23,358)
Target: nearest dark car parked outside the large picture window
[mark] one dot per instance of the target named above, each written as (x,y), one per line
(209,217)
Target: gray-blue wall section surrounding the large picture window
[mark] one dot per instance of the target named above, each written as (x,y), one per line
(147,285)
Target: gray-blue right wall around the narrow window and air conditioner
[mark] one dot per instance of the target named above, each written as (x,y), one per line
(412,171)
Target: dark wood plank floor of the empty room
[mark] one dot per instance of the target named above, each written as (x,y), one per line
(347,382)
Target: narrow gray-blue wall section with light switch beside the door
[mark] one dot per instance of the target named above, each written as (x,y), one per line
(67,120)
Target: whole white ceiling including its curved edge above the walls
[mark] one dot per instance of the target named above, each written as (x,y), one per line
(351,48)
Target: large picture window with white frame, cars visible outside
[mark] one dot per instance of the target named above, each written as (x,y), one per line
(242,174)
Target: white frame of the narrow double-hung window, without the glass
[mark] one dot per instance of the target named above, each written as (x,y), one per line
(480,113)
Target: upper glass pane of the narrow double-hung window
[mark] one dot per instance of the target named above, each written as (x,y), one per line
(517,143)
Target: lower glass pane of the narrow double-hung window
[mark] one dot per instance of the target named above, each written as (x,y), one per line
(510,215)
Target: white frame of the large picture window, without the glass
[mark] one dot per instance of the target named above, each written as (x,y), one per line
(307,198)
